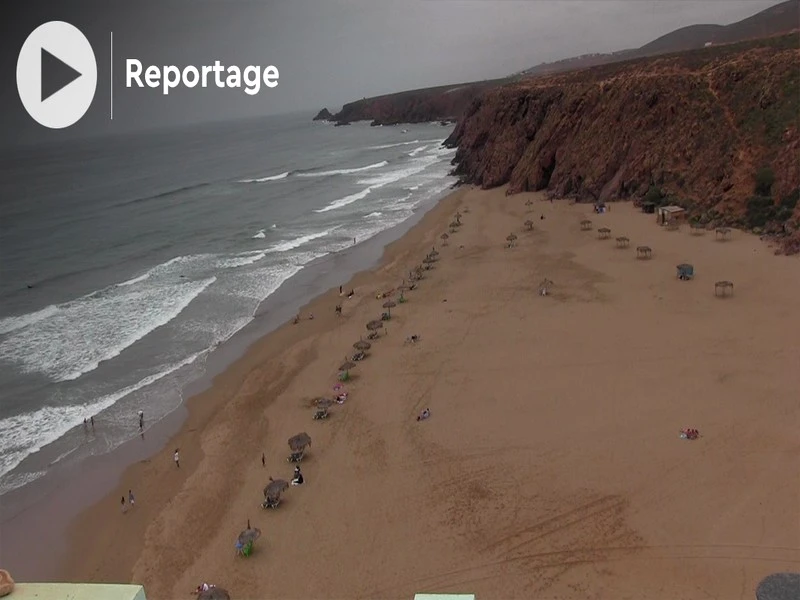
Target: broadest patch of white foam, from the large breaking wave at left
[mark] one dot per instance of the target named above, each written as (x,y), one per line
(80,334)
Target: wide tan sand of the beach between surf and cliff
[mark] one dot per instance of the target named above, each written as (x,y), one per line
(551,465)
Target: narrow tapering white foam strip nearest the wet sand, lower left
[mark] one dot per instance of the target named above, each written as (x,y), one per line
(24,434)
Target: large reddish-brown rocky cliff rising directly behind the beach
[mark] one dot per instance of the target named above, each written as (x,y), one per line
(715,130)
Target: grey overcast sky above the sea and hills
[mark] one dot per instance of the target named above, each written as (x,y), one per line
(332,51)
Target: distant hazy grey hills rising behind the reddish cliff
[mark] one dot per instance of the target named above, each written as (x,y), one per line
(775,20)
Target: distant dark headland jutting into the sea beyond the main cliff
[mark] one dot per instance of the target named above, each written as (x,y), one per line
(416,106)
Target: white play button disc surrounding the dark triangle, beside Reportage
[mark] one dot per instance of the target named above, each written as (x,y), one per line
(67,45)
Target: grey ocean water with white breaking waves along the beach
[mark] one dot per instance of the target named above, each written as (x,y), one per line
(127,260)
